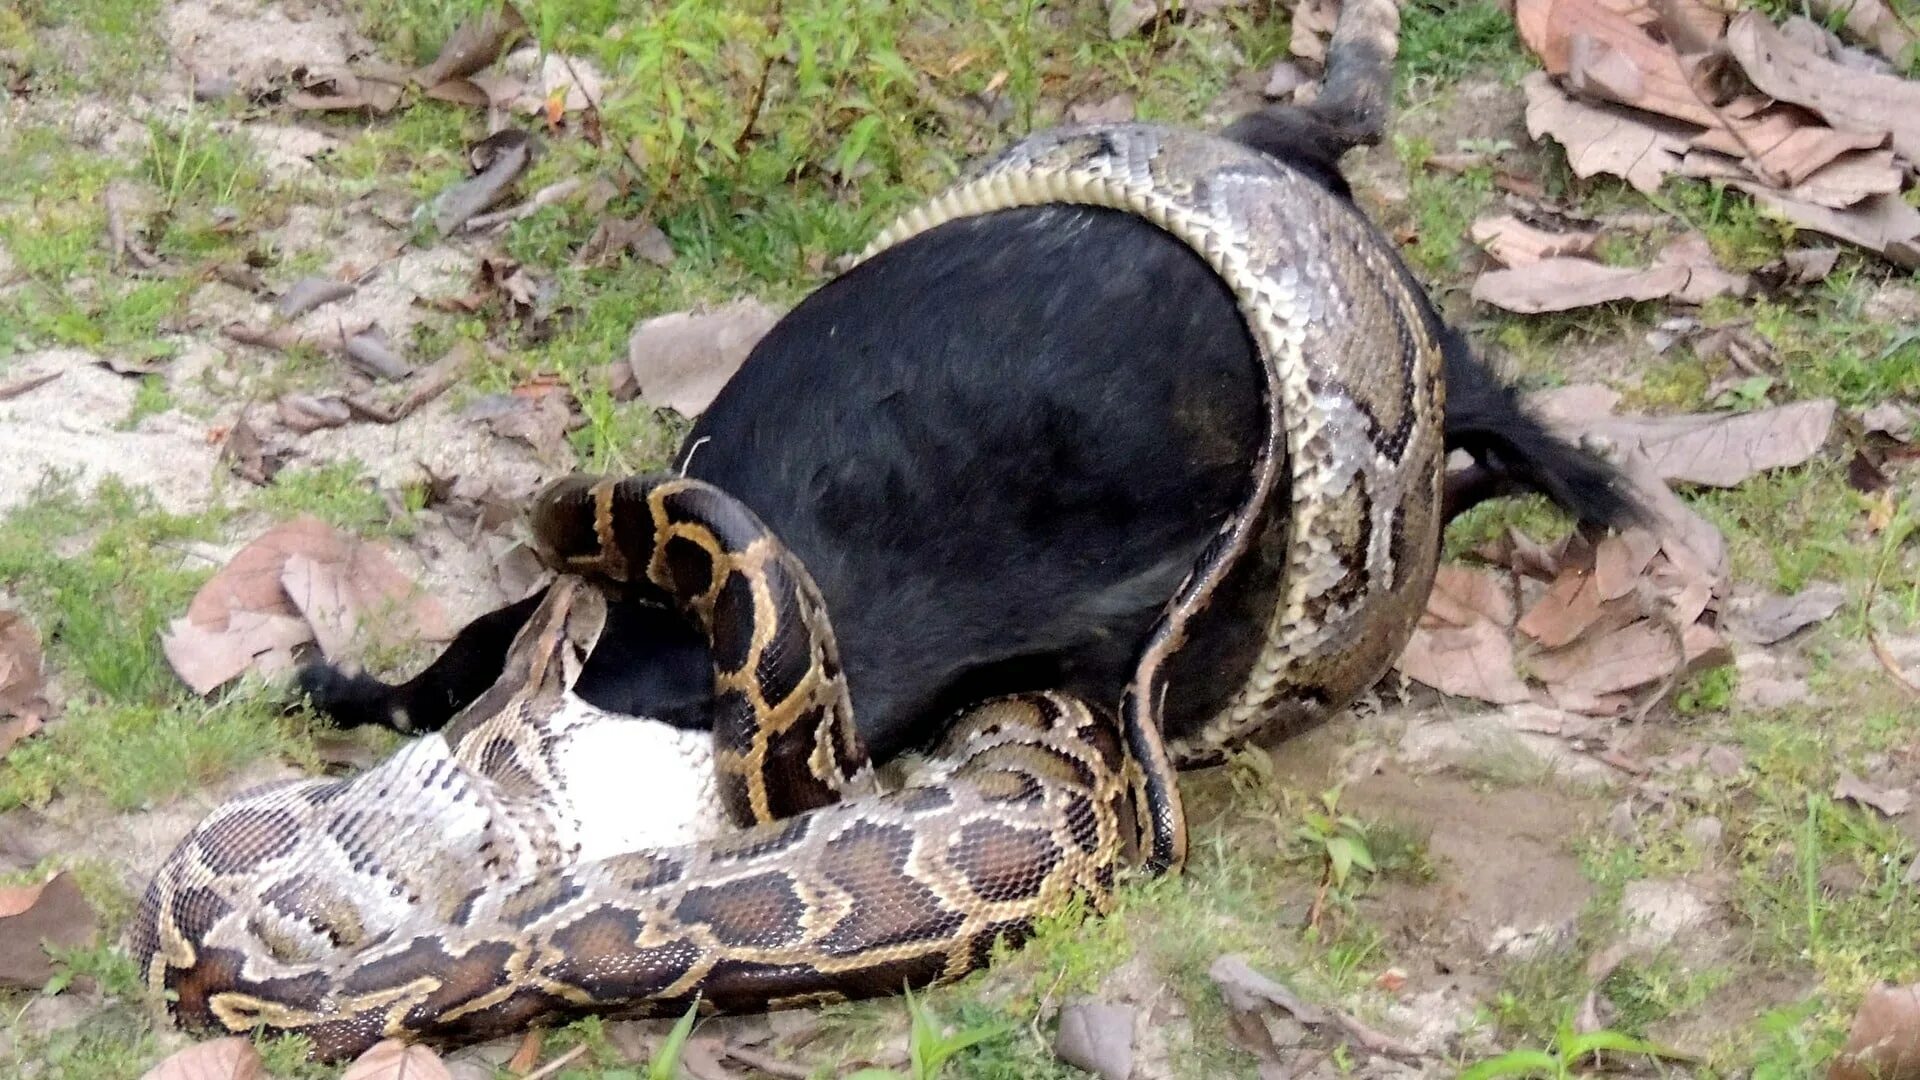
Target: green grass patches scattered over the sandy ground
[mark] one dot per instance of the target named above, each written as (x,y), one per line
(867,107)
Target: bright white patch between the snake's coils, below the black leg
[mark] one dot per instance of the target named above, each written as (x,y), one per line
(636,783)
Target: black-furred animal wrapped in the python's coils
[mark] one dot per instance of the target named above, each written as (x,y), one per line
(999,449)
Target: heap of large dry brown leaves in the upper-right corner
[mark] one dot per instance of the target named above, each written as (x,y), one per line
(1677,89)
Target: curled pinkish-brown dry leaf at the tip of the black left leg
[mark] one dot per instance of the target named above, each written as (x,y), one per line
(245,618)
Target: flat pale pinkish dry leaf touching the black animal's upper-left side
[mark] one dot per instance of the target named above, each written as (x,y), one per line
(681,362)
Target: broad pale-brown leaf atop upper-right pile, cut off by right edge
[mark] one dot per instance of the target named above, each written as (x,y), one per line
(1846,99)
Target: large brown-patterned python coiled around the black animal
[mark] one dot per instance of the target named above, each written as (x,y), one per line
(450,895)
